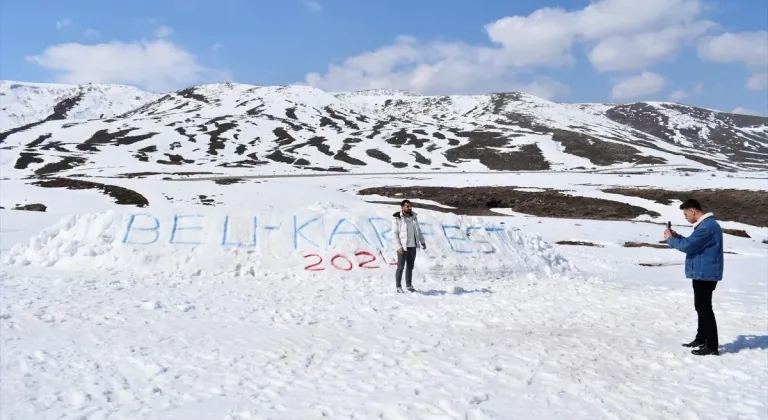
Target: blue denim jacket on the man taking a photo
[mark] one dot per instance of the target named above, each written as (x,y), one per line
(703,250)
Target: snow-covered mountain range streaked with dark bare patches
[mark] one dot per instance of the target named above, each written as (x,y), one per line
(238,129)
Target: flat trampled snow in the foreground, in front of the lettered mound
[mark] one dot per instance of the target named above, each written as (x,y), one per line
(117,346)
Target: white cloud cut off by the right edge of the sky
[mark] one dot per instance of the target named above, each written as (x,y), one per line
(748,48)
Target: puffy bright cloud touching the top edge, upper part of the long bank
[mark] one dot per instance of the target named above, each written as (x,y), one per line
(621,29)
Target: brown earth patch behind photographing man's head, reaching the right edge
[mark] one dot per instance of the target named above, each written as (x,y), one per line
(743,206)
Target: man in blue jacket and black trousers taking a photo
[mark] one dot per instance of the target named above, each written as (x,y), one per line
(704,266)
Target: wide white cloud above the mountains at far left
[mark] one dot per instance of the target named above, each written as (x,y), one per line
(157,65)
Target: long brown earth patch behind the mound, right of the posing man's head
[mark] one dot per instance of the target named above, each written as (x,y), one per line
(478,201)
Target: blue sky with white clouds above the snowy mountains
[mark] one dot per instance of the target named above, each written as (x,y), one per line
(705,53)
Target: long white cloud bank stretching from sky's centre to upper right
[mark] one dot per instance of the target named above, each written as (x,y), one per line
(622,34)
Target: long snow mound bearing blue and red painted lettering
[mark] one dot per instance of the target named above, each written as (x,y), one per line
(318,240)
